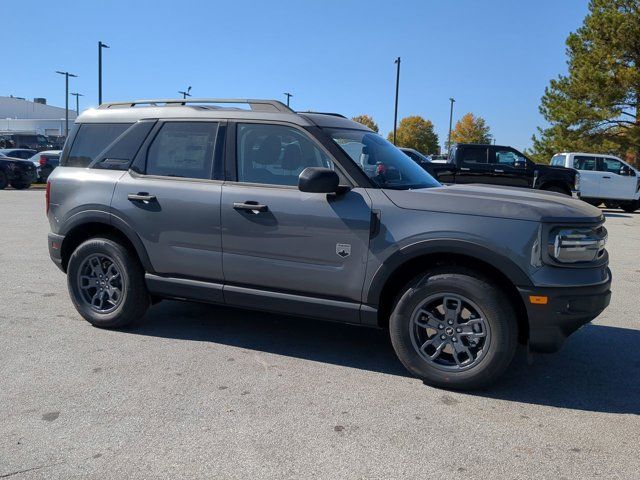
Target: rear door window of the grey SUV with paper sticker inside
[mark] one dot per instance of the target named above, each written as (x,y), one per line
(183,149)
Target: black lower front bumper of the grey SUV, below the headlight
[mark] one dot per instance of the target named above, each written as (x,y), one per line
(567,309)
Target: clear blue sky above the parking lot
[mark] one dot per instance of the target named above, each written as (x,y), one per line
(494,56)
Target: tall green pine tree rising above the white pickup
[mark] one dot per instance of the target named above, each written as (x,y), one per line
(595,106)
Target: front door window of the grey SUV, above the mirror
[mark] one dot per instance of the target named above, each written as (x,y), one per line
(275,154)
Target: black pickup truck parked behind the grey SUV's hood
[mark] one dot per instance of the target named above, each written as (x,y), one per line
(500,165)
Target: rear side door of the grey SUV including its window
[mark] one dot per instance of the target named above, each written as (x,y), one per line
(171,198)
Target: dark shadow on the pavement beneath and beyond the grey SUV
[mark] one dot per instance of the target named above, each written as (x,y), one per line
(597,369)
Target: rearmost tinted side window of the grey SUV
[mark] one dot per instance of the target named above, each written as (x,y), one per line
(91,139)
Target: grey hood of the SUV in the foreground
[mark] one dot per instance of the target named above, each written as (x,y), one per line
(501,202)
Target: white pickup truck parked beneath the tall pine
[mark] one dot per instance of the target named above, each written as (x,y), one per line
(604,179)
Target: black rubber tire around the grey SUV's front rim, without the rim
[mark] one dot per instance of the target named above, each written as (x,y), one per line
(500,321)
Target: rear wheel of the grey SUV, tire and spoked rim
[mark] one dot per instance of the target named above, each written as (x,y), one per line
(106,257)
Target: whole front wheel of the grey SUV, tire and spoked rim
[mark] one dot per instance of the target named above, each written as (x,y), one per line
(494,351)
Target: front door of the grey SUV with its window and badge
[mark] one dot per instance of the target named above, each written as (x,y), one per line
(278,240)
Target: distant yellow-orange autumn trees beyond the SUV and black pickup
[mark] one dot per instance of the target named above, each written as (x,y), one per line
(419,133)
